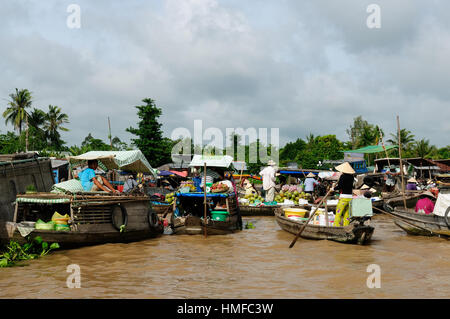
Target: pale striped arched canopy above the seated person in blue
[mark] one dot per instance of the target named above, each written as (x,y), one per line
(133,161)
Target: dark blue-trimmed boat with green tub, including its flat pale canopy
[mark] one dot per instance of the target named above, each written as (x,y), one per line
(222,209)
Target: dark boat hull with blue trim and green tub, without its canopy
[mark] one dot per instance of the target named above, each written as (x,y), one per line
(187,216)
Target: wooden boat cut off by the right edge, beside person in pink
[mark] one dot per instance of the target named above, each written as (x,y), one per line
(414,223)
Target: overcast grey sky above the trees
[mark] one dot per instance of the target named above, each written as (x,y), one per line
(302,66)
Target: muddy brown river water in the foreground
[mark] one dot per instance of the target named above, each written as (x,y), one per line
(254,263)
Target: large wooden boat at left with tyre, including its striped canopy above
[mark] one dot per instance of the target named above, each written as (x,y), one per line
(94,217)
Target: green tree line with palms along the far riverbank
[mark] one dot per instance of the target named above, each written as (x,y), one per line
(38,130)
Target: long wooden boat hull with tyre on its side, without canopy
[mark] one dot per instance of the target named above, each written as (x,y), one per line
(94,219)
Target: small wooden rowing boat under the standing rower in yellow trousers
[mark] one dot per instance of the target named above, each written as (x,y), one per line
(355,233)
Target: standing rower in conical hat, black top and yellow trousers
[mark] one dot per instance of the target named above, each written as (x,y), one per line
(345,186)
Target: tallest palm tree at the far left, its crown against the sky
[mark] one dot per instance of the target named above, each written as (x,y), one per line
(15,113)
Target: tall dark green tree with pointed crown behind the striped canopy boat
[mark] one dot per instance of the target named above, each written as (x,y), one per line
(150,140)
